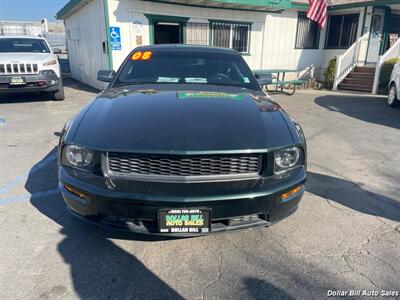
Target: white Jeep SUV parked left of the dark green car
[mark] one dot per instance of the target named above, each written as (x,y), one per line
(28,64)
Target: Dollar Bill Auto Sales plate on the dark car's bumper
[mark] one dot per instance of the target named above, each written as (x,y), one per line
(183,221)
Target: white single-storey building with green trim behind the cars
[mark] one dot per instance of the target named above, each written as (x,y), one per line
(270,34)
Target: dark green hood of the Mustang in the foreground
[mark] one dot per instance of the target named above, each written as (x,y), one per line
(182,122)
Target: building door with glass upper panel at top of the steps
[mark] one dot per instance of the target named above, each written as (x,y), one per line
(376,35)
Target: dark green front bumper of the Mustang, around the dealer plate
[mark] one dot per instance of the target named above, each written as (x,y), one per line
(133,205)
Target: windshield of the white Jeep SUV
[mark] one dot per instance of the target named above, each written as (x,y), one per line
(23,45)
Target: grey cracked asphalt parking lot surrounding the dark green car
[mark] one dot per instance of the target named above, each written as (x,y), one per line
(345,234)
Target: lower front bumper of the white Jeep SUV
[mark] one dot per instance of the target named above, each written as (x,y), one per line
(41,82)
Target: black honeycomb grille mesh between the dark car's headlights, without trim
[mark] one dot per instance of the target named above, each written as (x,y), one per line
(185,165)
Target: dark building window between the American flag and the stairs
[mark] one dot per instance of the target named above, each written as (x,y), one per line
(342,31)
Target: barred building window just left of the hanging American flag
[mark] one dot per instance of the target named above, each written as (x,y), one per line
(307,36)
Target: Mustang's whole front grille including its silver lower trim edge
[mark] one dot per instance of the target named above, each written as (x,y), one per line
(182,168)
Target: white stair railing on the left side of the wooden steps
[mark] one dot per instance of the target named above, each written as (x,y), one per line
(346,62)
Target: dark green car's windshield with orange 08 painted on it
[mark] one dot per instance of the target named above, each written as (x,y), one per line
(187,67)
